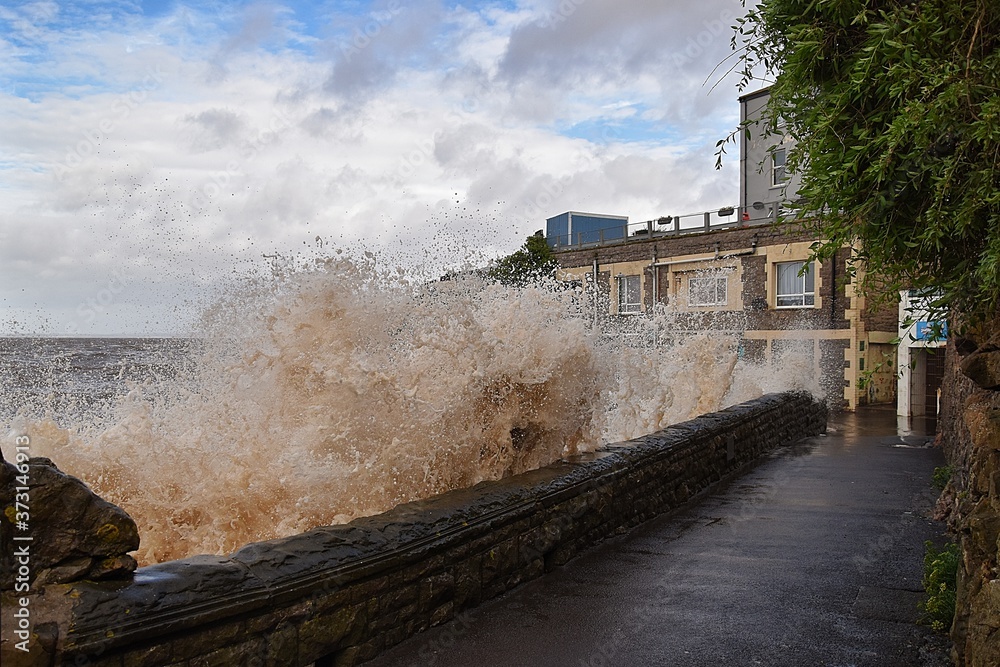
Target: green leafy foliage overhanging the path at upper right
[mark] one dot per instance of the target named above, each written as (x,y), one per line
(895,109)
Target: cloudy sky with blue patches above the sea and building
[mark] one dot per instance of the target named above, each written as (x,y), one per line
(151,151)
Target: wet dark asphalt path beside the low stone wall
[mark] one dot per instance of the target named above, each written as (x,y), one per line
(813,558)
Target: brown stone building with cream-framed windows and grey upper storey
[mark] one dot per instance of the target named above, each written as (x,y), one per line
(746,270)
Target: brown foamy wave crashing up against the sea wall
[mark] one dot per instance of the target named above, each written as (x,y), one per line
(341,391)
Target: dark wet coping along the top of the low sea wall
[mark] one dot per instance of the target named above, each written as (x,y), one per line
(167,600)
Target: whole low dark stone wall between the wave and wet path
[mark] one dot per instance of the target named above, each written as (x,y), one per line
(339,595)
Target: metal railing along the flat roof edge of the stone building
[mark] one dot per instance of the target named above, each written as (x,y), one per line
(692,223)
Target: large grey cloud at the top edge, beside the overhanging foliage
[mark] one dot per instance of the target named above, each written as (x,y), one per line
(582,45)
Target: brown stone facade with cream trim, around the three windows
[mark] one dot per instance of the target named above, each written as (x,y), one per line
(837,331)
